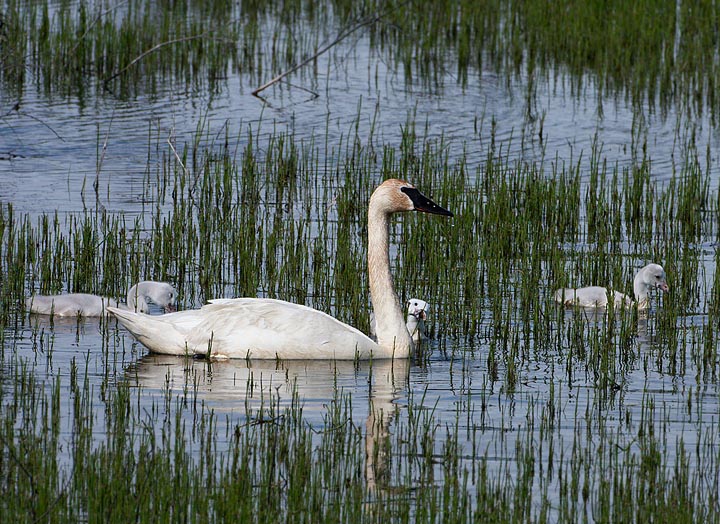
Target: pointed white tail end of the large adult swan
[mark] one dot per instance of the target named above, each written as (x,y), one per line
(153,332)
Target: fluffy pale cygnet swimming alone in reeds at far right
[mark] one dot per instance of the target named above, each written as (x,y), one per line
(651,276)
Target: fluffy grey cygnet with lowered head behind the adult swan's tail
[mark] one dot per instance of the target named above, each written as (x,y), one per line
(83,304)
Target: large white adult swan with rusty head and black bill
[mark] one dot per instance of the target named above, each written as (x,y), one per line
(268,329)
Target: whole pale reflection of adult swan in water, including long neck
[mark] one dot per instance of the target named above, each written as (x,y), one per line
(246,387)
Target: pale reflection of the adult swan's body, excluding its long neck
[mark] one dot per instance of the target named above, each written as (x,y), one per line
(231,384)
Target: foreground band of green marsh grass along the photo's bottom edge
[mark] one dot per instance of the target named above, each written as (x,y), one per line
(151,463)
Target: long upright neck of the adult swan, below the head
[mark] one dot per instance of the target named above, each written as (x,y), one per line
(392,333)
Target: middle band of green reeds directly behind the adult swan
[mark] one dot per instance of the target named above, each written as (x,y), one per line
(520,231)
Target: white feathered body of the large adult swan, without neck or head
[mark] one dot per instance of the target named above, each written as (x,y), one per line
(251,328)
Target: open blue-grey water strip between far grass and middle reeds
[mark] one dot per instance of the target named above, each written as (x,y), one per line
(52,148)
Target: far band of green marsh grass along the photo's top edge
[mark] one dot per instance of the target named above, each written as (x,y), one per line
(658,55)
